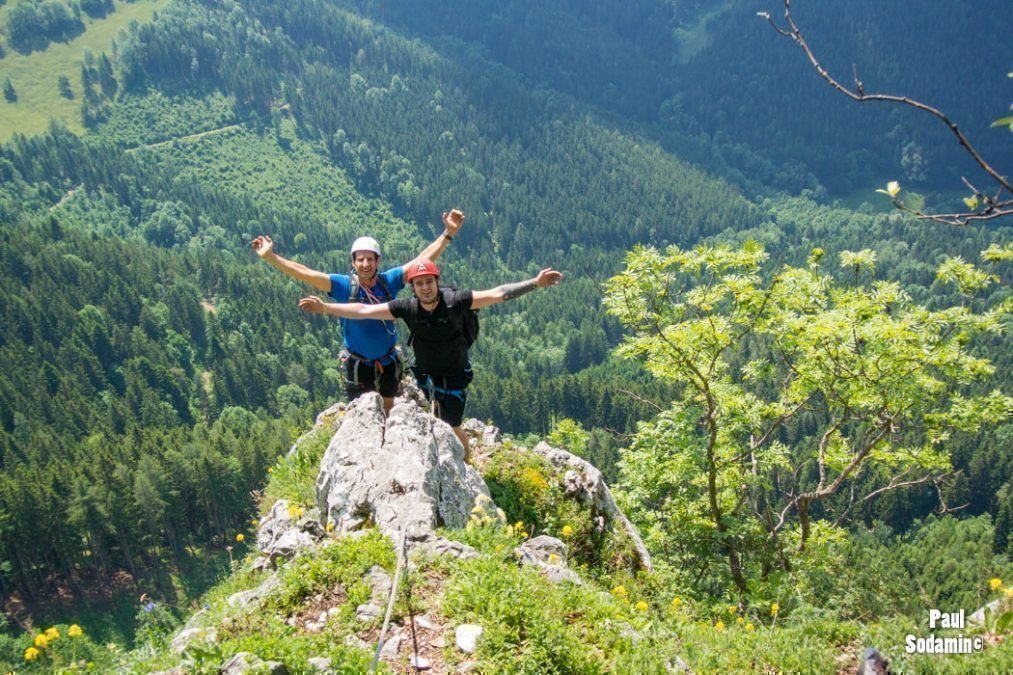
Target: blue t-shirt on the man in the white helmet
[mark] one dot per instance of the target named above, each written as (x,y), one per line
(370,339)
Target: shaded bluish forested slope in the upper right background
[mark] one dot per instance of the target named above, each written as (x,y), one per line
(717,85)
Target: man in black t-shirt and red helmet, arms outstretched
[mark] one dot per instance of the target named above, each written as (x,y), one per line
(438,322)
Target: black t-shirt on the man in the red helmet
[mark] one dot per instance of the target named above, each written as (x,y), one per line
(437,337)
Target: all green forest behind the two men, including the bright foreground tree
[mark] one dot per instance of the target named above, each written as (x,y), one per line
(800,394)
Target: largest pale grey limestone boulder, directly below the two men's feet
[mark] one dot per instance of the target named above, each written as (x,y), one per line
(406,474)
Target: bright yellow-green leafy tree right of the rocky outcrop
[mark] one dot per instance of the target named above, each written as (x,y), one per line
(867,386)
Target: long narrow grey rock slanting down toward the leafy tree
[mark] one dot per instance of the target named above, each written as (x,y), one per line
(585,483)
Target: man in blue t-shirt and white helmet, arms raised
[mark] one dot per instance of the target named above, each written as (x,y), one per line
(370,356)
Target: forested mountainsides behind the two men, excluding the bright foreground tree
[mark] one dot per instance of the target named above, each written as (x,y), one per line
(153,367)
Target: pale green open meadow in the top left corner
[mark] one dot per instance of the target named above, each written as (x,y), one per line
(35,76)
